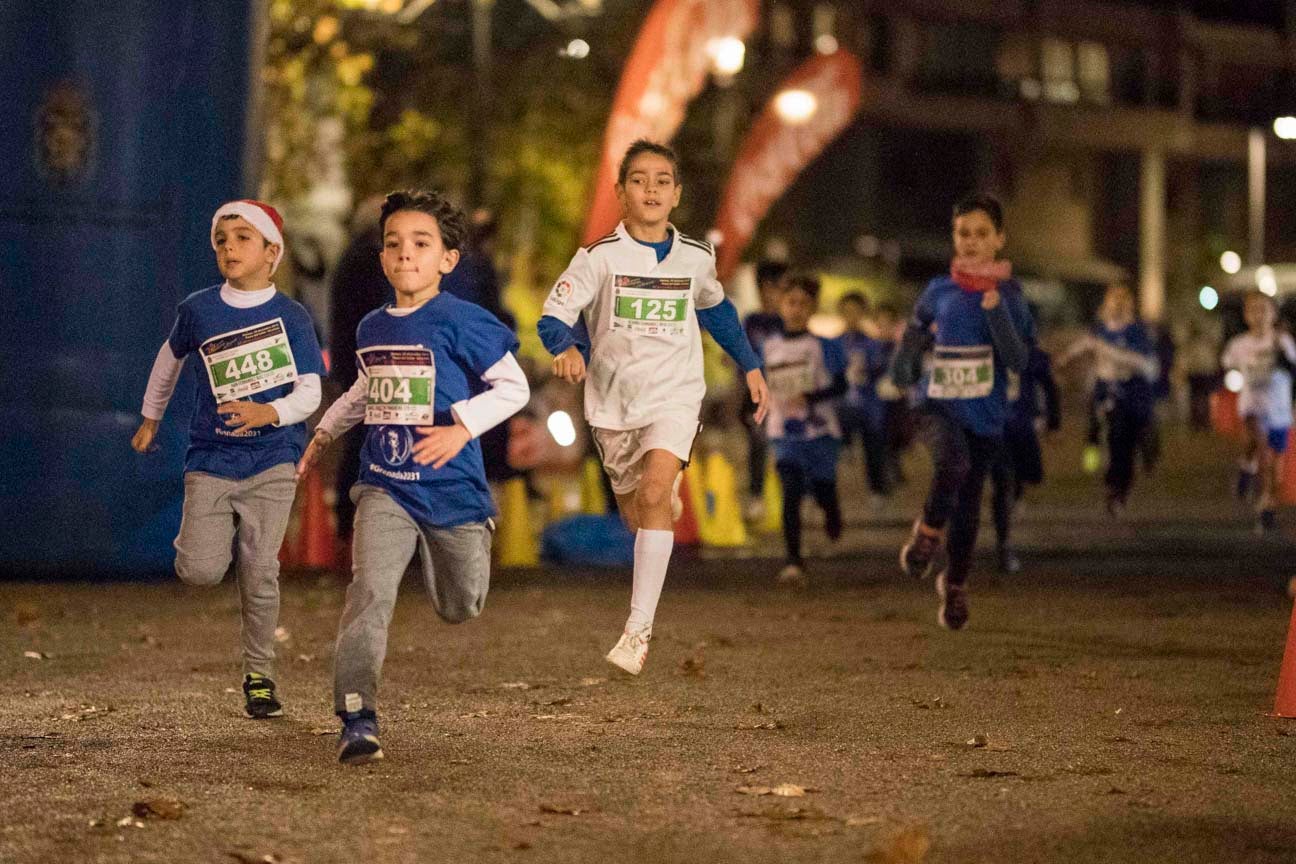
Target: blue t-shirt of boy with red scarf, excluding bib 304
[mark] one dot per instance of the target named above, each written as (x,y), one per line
(962,327)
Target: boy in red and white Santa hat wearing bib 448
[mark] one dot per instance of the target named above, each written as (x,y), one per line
(260,383)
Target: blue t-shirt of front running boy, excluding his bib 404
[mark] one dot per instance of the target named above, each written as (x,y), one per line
(466,341)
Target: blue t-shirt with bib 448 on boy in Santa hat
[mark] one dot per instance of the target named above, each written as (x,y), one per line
(240,350)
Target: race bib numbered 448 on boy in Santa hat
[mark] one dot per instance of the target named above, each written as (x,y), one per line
(247,362)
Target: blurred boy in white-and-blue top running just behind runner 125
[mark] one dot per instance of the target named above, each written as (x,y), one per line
(808,375)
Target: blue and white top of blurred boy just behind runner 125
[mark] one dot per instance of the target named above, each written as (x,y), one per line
(802,370)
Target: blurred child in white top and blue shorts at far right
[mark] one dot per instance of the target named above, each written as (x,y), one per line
(1266,357)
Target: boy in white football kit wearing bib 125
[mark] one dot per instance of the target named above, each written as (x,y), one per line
(645,290)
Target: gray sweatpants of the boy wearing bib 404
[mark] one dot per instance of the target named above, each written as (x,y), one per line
(456,571)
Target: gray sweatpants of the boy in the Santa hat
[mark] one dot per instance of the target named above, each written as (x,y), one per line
(256,511)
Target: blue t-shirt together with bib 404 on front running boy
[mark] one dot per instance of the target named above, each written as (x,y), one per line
(417,367)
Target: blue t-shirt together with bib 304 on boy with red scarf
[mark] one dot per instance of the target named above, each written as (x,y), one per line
(966,375)
